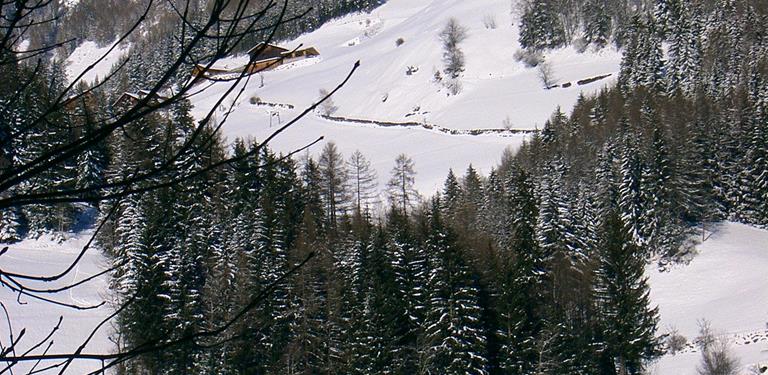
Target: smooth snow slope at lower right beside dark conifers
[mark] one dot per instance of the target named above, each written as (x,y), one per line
(726,284)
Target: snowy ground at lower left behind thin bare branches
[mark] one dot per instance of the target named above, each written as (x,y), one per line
(47,257)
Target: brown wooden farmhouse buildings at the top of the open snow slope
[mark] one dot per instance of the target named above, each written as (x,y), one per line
(263,57)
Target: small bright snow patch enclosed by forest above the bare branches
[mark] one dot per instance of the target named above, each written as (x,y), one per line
(88,53)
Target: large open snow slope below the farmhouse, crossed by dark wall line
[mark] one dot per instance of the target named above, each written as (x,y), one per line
(495,87)
